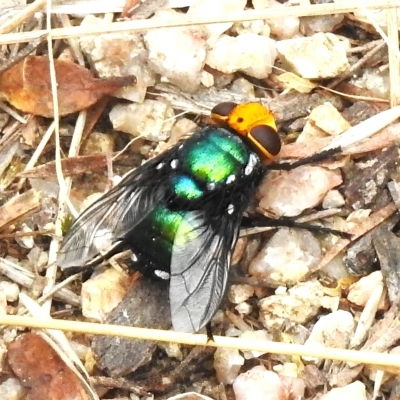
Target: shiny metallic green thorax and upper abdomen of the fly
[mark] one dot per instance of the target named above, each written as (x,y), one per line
(204,165)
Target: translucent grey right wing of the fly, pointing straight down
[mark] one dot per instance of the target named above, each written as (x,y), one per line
(199,268)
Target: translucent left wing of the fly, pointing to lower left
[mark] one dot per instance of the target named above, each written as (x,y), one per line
(103,225)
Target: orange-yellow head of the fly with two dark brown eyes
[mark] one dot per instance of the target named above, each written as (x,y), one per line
(253,121)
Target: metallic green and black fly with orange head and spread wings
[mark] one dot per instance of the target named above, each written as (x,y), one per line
(181,212)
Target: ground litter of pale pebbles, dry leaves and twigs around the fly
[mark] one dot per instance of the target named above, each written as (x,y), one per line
(280,289)
